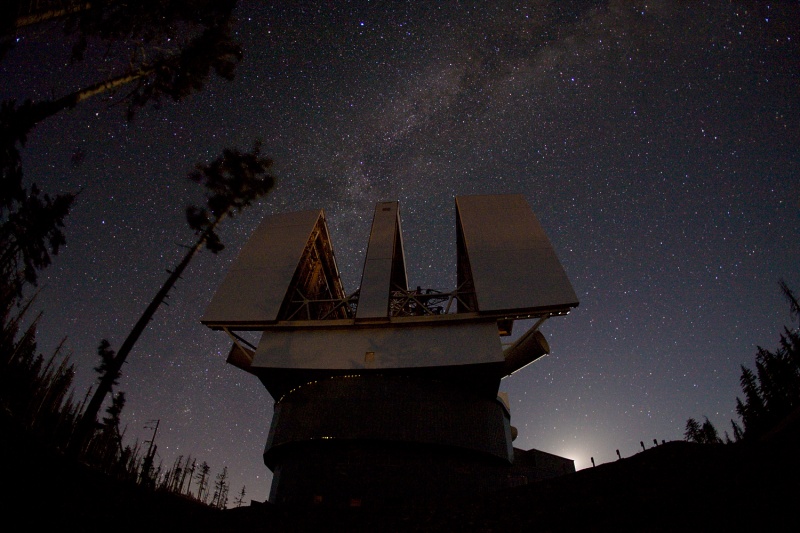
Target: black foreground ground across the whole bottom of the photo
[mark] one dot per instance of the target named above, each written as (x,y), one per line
(674,487)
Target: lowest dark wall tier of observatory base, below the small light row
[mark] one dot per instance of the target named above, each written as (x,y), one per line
(375,474)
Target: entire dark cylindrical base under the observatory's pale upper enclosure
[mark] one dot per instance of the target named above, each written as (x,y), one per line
(380,440)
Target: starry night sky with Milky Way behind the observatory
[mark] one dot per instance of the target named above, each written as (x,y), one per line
(657,142)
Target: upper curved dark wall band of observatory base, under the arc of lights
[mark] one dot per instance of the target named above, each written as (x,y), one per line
(399,409)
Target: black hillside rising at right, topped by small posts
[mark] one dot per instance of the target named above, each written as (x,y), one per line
(675,487)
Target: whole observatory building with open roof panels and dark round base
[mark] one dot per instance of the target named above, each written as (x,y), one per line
(388,396)
